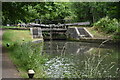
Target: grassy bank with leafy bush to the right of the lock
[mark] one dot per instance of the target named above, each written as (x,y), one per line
(105,28)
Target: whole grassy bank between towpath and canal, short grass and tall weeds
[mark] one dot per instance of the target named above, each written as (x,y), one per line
(25,54)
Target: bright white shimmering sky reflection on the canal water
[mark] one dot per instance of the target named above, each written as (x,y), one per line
(59,67)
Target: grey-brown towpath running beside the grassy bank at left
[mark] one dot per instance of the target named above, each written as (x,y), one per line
(8,68)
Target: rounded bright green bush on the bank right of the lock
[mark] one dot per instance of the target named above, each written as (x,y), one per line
(108,26)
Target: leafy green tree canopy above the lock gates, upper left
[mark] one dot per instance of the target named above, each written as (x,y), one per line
(25,12)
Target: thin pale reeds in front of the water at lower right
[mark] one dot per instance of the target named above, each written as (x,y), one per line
(94,67)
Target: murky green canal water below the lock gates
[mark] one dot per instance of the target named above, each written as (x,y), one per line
(81,60)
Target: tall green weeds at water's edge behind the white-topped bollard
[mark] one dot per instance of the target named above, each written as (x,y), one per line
(28,56)
